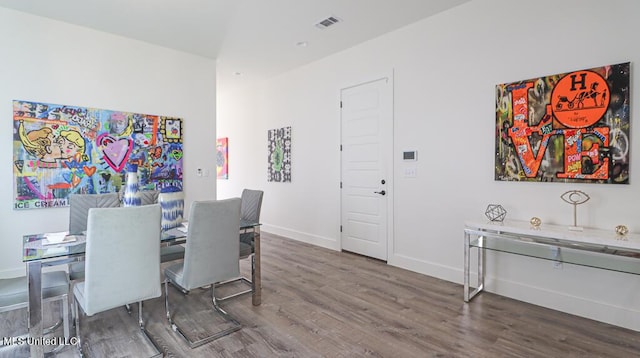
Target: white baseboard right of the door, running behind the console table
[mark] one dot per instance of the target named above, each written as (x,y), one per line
(559,301)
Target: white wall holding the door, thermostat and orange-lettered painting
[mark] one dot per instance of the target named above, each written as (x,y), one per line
(445,70)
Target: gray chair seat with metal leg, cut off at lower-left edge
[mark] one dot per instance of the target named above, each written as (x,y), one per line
(55,286)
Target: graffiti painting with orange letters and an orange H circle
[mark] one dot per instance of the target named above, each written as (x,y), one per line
(571,127)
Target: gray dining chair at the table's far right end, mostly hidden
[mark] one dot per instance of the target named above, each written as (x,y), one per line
(249,211)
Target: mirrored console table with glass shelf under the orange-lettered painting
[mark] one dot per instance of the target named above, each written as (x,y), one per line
(602,249)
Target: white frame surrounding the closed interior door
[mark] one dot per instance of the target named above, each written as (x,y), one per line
(390,158)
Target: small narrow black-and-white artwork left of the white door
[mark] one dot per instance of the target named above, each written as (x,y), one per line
(279,155)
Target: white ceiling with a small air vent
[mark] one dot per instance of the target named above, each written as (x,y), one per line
(256,38)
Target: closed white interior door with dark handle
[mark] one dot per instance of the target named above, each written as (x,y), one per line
(366,167)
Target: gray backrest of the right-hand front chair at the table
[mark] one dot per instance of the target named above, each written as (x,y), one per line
(212,251)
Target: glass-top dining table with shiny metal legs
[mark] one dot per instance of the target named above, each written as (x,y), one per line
(39,251)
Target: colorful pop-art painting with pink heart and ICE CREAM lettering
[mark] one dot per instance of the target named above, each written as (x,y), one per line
(60,150)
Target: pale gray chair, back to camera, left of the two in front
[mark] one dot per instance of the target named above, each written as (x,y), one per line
(122,262)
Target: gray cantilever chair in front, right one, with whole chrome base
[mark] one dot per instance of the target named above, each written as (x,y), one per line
(211,256)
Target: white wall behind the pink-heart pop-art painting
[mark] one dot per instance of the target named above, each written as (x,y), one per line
(48,61)
